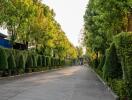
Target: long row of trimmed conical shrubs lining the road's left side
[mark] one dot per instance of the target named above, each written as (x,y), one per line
(14,62)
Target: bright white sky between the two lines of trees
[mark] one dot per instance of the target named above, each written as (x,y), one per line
(69,13)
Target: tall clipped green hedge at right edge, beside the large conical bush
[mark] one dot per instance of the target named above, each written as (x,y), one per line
(123,42)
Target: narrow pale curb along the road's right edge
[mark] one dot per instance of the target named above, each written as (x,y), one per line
(105,84)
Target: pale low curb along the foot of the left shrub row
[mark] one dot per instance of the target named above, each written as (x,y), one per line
(28,74)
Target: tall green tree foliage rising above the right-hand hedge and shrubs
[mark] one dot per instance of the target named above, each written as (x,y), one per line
(103,20)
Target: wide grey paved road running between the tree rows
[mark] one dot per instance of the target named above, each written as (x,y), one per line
(73,83)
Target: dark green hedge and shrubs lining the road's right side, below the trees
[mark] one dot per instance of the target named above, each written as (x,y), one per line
(115,67)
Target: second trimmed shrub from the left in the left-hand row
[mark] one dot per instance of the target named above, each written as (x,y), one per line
(11,62)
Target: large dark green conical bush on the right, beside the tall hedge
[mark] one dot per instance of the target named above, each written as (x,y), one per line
(112,68)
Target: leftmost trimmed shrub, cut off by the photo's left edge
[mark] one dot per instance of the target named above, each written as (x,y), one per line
(3,60)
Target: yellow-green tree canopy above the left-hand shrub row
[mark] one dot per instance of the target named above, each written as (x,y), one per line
(33,23)
